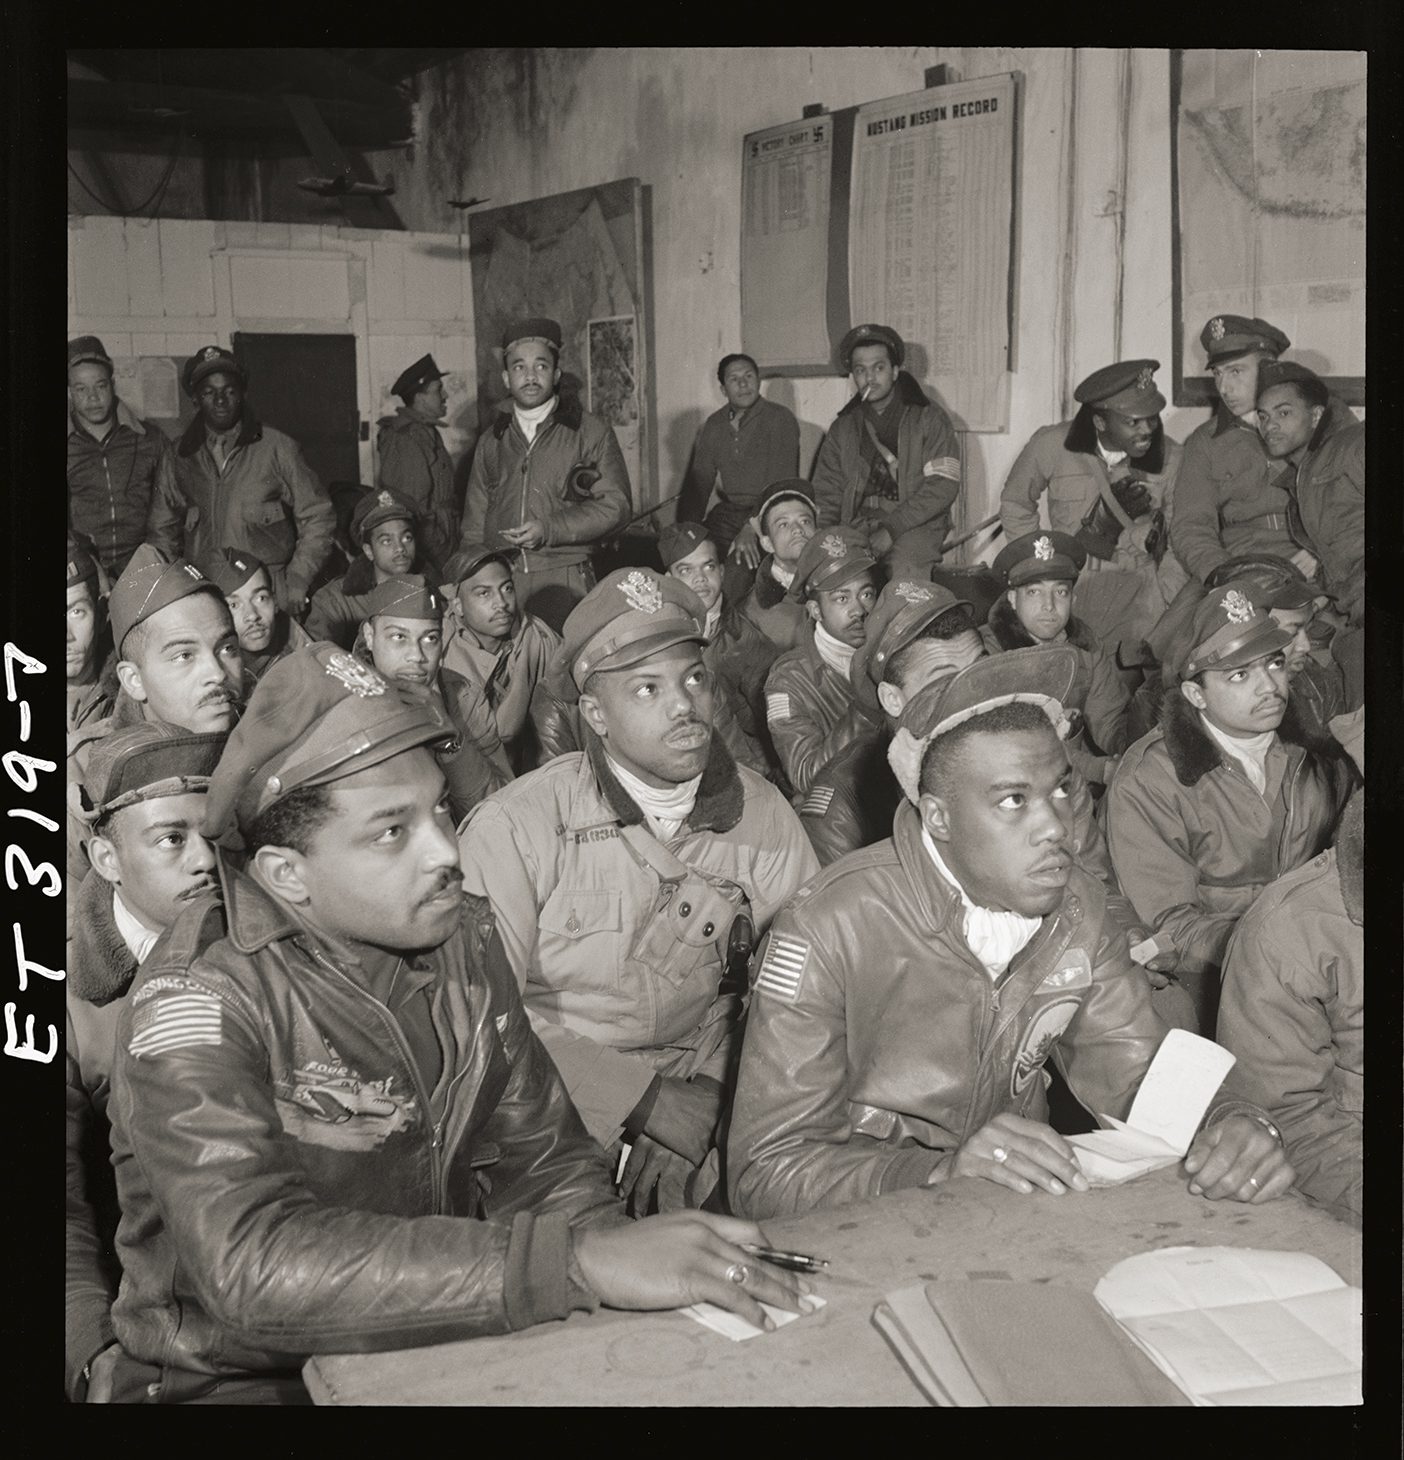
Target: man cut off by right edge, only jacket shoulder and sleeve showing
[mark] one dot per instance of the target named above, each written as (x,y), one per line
(1294,1005)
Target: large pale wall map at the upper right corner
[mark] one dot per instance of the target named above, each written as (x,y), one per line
(1270,189)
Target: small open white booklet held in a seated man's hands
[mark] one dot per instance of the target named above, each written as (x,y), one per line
(1183,1080)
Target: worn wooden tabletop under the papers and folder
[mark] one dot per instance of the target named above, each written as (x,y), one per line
(965,1229)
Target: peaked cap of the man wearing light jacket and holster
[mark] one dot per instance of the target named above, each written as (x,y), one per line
(625,618)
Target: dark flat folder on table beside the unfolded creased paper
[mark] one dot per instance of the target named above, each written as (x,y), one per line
(995,1342)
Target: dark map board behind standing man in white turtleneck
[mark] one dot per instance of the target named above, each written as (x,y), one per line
(577,258)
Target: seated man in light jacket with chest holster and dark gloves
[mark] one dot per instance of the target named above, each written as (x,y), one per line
(650,855)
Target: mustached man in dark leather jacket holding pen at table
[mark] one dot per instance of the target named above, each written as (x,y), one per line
(303,1106)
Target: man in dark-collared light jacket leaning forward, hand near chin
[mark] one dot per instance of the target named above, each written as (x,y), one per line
(1116,472)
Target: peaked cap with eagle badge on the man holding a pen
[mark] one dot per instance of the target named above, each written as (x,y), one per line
(317,716)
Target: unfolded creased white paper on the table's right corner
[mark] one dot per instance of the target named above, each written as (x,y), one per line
(1235,1326)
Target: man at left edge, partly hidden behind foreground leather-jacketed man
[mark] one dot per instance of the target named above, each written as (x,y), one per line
(144,798)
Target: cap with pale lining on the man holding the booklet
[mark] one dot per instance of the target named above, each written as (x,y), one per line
(1043,677)
